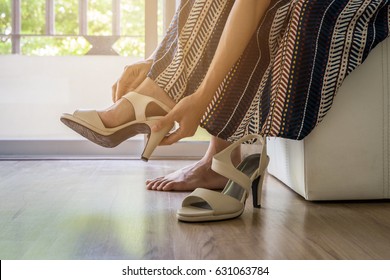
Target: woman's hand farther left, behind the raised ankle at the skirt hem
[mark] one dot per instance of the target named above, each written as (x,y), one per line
(132,76)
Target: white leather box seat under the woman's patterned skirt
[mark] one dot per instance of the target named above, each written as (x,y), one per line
(347,156)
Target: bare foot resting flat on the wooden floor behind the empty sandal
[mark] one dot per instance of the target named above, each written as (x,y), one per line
(198,175)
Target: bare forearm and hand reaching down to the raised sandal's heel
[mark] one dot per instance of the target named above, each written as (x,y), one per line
(241,24)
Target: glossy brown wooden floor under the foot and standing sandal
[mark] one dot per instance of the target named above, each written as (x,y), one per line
(101,210)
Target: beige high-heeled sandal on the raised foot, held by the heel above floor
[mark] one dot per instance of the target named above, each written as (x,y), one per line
(88,124)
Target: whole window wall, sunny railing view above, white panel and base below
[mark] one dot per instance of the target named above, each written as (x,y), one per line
(119,32)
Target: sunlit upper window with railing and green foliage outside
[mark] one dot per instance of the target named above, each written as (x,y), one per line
(79,27)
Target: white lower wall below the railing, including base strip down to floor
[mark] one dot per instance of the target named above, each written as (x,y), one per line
(35,91)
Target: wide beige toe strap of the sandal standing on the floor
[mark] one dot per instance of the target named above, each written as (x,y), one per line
(218,202)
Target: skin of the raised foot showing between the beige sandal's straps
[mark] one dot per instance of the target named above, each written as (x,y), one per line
(122,111)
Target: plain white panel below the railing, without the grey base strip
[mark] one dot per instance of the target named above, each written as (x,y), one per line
(35,91)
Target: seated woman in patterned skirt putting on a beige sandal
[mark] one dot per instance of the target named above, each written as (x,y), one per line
(269,67)
